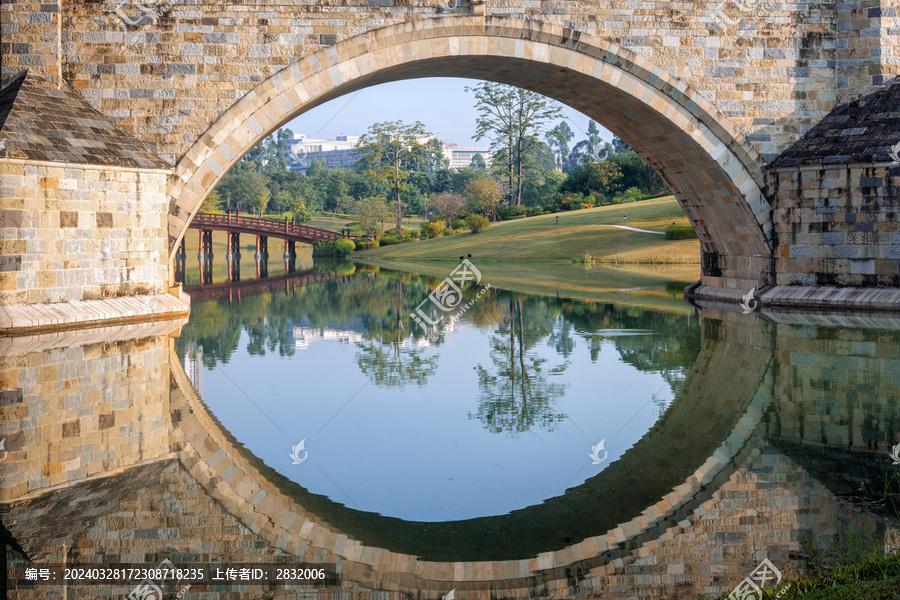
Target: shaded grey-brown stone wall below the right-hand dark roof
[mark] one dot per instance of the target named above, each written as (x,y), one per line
(838,226)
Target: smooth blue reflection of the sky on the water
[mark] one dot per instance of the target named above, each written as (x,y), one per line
(414,453)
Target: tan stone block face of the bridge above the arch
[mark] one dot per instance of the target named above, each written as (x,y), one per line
(773,70)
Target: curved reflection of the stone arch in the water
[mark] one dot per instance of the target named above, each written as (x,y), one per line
(656,482)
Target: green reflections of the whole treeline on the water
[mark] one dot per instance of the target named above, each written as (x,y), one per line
(378,303)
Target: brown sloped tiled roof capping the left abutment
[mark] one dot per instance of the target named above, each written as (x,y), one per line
(40,122)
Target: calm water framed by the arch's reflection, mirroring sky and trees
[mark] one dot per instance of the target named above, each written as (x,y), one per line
(497,411)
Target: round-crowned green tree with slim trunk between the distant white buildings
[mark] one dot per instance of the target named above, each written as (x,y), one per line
(388,151)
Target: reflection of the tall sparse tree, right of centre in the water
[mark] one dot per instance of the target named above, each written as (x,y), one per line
(517,395)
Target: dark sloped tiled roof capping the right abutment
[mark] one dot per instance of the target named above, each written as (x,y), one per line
(864,131)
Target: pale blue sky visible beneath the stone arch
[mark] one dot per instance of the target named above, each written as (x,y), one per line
(441,103)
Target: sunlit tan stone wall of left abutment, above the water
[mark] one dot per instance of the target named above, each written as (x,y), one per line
(73,232)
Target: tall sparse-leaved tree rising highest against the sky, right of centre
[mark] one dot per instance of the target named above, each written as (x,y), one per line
(512,117)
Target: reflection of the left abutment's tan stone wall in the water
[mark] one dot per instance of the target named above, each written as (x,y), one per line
(76,411)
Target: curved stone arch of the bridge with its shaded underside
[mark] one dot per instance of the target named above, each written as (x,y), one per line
(716,174)
